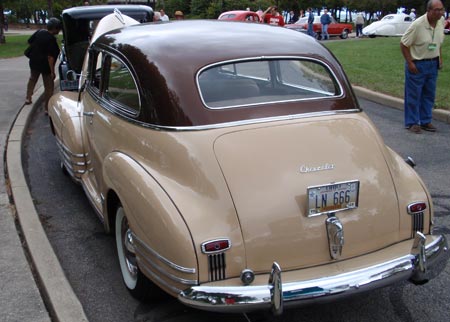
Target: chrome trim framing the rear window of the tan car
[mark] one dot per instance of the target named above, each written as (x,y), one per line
(263,58)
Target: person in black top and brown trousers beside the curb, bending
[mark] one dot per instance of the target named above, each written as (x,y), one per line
(43,55)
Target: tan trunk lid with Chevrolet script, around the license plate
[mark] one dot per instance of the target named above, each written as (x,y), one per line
(269,168)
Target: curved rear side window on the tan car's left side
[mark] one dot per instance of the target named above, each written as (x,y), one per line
(121,89)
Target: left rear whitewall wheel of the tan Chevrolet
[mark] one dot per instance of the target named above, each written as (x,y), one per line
(137,284)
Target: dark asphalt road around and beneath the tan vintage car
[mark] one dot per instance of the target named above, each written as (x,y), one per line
(88,257)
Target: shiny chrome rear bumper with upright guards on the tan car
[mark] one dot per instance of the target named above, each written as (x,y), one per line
(422,264)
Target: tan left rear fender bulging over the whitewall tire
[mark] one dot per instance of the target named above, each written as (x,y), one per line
(162,239)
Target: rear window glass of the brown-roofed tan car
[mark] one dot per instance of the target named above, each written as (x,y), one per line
(258,82)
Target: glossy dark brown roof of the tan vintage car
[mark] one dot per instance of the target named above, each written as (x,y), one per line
(167,56)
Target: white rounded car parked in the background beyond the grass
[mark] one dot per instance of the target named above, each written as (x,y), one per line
(390,25)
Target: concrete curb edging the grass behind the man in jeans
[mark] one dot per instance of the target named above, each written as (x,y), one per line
(439,115)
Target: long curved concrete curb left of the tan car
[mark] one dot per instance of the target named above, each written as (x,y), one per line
(58,293)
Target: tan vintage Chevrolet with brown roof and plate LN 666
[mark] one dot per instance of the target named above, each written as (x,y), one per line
(236,175)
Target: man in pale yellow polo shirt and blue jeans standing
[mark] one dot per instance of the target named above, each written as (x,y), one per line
(421,47)
